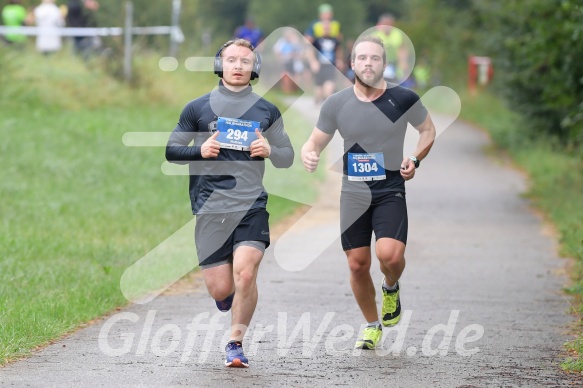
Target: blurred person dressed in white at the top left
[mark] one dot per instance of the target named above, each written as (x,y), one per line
(48,18)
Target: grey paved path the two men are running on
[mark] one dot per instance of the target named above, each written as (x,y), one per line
(476,258)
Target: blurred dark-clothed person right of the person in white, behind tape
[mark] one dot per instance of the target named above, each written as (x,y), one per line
(81,14)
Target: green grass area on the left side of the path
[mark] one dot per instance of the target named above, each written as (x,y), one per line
(78,207)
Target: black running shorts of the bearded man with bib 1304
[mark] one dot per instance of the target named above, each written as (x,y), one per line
(385,214)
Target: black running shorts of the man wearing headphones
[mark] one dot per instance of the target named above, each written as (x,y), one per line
(218,235)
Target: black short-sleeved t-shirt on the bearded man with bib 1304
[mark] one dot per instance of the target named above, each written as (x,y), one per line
(376,127)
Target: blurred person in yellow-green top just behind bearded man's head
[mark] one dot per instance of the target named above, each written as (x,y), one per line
(397,54)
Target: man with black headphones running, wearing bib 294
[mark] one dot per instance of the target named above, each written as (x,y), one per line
(233,131)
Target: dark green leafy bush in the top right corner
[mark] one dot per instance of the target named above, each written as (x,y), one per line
(538,47)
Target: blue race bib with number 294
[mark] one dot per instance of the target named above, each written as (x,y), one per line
(237,134)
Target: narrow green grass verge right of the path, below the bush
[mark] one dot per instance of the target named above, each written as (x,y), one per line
(556,188)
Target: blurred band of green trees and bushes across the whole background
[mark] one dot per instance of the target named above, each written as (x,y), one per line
(536,45)
